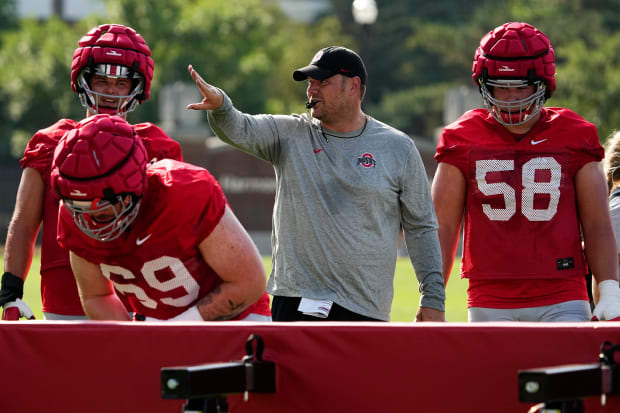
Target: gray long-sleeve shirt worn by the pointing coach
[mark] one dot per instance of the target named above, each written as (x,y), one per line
(339,204)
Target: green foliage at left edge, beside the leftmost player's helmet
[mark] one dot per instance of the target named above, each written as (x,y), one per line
(34,80)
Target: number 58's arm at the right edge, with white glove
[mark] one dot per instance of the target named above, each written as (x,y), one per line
(598,237)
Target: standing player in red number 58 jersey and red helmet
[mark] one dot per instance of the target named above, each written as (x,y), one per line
(528,182)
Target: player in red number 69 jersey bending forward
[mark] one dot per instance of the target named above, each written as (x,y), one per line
(162,237)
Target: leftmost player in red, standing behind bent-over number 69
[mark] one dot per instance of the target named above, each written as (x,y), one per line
(111,72)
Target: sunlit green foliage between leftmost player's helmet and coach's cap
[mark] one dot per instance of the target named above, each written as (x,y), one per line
(237,45)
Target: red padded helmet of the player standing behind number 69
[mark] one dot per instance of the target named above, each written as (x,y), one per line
(115,51)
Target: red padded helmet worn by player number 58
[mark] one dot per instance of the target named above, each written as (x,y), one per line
(515,55)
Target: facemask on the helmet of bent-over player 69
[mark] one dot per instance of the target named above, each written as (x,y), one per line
(119,212)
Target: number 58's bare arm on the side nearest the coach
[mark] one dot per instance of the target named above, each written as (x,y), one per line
(448,192)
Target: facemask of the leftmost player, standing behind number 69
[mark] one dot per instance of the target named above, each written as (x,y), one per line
(126,103)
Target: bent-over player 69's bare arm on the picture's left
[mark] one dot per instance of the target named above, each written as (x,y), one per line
(96,292)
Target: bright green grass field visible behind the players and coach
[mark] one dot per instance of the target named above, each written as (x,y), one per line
(404,306)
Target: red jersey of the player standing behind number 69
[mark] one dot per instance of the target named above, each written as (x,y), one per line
(58,288)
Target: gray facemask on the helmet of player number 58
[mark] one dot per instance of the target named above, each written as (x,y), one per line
(516,112)
